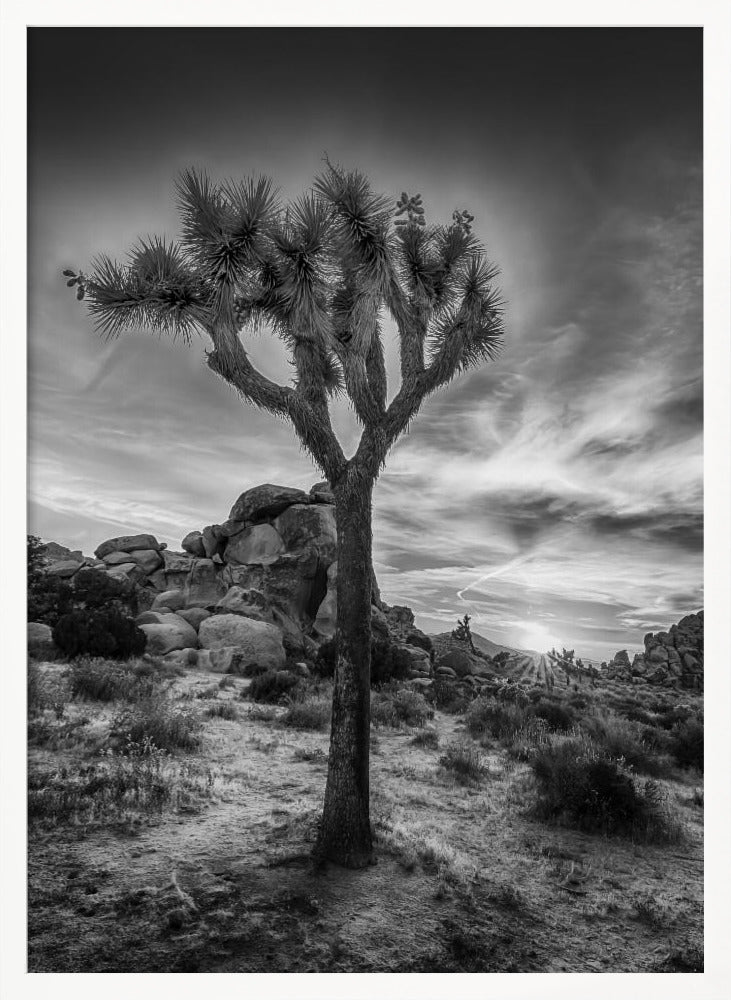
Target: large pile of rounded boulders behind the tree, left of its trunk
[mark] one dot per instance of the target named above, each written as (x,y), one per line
(267,574)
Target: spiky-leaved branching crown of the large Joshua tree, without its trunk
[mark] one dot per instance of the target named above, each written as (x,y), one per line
(320,271)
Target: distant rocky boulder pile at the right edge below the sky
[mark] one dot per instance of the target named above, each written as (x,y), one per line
(671,659)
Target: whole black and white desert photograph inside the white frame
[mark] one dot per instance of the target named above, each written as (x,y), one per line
(367,504)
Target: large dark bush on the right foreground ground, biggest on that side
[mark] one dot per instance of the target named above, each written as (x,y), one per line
(580,783)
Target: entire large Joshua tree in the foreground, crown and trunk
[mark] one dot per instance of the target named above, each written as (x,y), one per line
(322,273)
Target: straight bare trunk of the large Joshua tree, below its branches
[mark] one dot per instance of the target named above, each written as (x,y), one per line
(345,830)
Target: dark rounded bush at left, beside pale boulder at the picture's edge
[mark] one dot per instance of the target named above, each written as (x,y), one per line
(105,632)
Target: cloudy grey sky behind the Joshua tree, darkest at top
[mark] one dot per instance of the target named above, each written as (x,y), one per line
(556,495)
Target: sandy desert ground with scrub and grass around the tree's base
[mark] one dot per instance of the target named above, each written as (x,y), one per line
(172,819)
